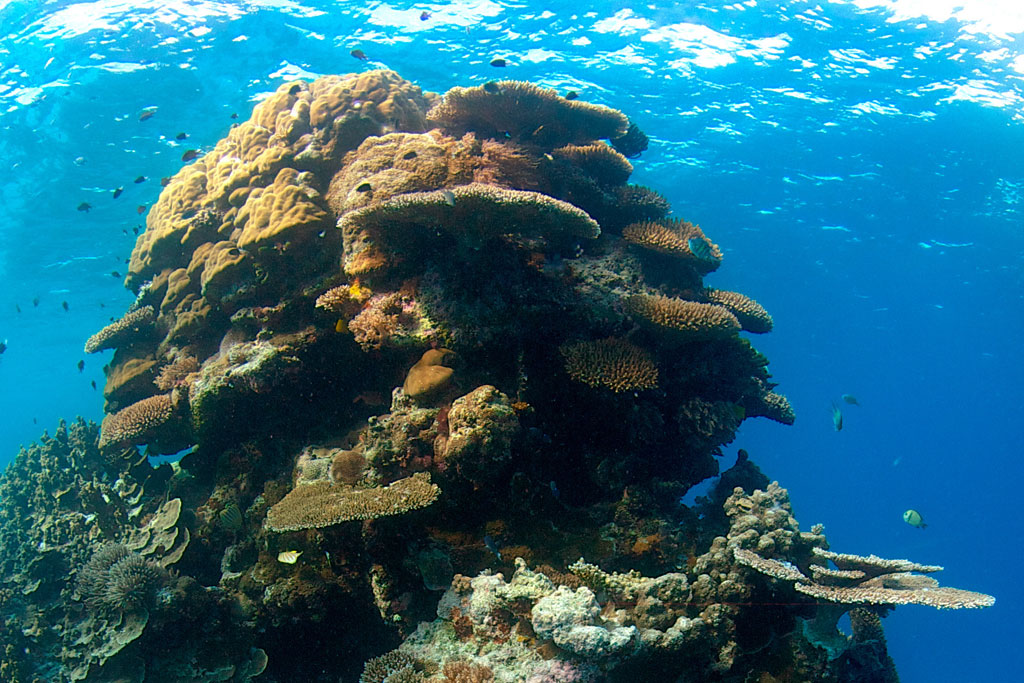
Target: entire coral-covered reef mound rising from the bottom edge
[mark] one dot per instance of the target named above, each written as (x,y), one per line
(438,378)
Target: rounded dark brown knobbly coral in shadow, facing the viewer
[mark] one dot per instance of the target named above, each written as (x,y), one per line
(612,364)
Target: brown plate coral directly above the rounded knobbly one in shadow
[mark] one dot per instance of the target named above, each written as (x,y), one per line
(686,321)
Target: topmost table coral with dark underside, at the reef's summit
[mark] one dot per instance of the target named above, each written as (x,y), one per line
(526,113)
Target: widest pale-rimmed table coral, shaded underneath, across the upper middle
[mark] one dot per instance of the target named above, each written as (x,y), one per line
(381,236)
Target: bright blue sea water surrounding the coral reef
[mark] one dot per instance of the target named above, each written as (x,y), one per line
(859,163)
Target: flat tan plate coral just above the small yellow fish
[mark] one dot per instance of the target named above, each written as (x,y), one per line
(323,504)
